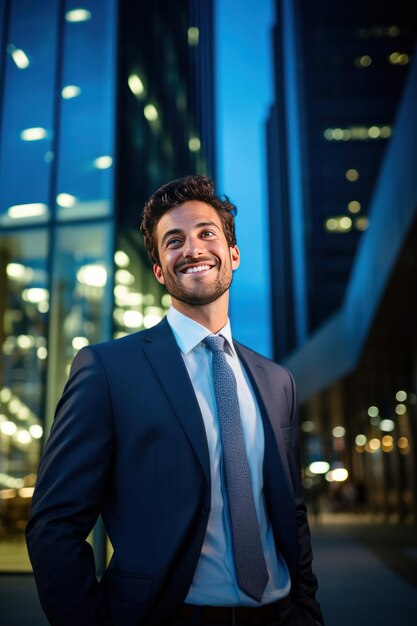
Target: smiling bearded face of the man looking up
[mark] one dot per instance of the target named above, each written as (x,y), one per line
(196,262)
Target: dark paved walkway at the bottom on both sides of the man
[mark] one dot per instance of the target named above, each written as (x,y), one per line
(367,575)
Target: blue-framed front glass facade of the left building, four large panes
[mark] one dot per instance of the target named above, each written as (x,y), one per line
(58,78)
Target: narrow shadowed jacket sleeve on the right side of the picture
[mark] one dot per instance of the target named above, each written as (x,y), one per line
(306,583)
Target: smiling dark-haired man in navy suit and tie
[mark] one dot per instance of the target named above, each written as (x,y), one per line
(199,489)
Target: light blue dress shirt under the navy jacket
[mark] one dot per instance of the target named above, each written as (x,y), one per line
(215,582)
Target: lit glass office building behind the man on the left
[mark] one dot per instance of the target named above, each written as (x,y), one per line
(100,102)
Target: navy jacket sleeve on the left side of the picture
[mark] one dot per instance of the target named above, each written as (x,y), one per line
(68,496)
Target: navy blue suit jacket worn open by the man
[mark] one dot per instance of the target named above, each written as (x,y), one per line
(128,442)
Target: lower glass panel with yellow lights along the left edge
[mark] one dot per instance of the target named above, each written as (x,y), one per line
(24,304)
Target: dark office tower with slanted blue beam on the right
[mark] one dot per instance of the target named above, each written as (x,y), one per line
(342,152)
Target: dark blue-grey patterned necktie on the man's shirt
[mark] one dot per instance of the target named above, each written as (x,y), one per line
(251,570)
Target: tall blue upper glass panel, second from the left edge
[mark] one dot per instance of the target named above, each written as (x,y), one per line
(86,139)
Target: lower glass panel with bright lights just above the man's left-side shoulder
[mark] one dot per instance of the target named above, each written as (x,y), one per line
(82,300)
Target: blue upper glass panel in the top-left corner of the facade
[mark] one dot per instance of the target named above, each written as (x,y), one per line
(27,121)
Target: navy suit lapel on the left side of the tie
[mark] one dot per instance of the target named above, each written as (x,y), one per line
(164,356)
